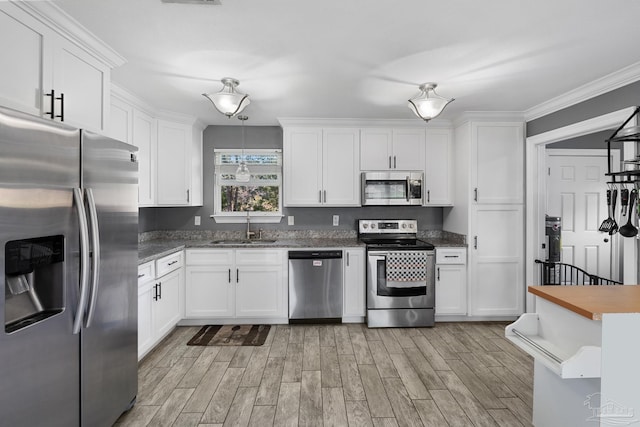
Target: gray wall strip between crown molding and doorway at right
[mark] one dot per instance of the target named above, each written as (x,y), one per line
(626,96)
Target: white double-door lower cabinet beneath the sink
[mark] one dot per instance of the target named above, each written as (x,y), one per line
(236,284)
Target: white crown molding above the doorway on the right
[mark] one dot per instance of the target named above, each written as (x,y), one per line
(615,80)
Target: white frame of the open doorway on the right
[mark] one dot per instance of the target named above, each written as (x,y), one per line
(536,191)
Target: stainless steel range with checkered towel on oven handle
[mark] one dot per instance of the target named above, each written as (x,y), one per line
(400,274)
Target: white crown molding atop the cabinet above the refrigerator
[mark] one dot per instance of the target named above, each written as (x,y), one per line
(66,26)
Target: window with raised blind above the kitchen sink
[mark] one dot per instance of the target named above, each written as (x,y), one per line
(261,196)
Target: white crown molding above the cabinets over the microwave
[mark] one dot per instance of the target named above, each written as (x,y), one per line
(358,123)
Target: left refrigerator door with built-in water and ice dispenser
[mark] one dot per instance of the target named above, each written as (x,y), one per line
(39,355)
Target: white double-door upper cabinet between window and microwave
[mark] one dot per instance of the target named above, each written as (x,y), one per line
(321,167)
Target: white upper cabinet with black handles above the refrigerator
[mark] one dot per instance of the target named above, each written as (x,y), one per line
(64,78)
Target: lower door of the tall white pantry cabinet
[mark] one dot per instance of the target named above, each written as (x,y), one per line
(496,253)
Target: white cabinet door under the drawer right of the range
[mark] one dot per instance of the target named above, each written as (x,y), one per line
(451,289)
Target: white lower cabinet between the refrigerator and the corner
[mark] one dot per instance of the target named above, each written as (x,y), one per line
(159,285)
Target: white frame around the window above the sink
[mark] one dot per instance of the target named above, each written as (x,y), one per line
(241,217)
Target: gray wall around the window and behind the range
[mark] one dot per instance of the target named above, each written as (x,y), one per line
(182,218)
